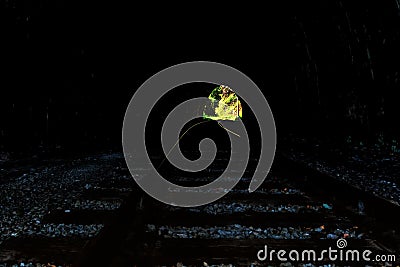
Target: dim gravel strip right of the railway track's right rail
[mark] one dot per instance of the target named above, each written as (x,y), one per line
(373,168)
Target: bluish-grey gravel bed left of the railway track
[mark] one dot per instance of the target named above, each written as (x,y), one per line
(30,200)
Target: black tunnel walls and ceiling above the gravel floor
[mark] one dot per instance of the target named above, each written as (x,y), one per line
(326,67)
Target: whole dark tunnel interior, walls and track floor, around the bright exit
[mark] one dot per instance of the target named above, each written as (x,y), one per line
(329,70)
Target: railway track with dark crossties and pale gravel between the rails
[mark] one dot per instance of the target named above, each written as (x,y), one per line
(294,209)
